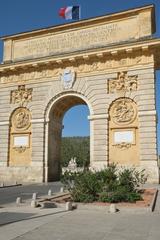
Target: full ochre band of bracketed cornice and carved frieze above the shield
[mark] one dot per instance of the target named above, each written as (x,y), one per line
(101,61)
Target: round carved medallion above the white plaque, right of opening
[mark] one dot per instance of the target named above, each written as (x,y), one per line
(123,111)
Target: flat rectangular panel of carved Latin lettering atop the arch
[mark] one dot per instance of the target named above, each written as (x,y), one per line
(76,40)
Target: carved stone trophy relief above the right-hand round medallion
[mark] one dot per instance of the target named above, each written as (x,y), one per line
(123,83)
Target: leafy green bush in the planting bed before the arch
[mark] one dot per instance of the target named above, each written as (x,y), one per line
(108,185)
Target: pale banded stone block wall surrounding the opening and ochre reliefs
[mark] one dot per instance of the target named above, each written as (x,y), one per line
(94,89)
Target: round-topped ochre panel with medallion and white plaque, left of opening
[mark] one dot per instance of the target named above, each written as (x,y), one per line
(20,138)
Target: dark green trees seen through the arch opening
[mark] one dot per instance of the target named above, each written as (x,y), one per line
(75,147)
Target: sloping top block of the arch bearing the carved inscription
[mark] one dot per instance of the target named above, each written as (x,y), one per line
(82,36)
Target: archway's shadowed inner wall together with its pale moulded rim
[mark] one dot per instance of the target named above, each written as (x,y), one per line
(55,114)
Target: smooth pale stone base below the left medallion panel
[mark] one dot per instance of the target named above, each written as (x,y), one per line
(21,174)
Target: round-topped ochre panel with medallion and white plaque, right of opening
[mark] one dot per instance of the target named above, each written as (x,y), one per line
(123,132)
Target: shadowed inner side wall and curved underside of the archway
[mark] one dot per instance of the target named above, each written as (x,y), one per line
(55,129)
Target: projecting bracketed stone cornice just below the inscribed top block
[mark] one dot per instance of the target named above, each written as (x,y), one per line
(145,46)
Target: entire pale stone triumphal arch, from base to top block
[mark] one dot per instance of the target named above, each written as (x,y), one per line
(107,63)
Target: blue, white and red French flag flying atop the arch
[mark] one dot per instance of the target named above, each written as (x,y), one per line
(71,12)
